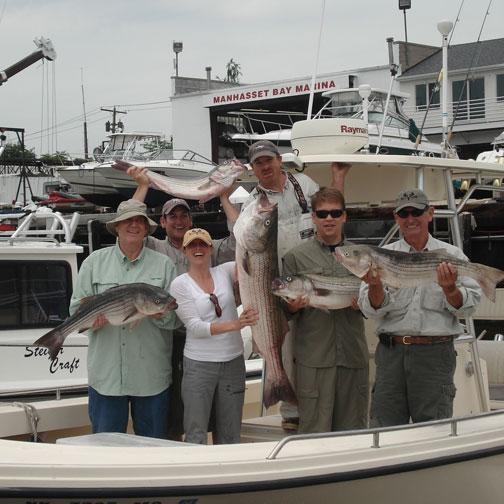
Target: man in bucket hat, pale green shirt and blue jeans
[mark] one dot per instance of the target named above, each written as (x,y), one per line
(128,367)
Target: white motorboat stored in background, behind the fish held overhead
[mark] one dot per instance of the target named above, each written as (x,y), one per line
(97,182)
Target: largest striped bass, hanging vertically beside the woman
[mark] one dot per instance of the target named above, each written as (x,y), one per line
(257,261)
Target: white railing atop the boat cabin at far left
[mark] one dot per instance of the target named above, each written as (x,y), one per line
(56,225)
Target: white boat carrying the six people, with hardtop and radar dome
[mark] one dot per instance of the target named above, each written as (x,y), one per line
(455,460)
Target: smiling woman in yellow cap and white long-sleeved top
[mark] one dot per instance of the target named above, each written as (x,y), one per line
(214,368)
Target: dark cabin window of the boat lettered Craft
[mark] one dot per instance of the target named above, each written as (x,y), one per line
(34,294)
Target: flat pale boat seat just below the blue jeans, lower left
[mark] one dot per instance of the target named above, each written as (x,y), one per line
(118,439)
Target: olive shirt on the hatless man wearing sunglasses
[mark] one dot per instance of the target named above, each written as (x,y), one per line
(325,339)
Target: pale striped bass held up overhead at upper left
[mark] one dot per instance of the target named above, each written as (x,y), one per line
(199,188)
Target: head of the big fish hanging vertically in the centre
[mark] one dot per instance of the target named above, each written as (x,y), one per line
(257,226)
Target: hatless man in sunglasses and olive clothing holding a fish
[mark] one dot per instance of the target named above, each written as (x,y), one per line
(330,347)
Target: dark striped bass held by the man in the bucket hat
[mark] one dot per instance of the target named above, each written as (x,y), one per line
(124,304)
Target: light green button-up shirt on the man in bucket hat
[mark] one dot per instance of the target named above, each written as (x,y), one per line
(124,360)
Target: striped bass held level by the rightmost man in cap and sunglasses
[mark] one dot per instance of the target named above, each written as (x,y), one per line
(403,269)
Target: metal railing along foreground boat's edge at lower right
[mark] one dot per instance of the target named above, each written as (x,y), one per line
(377,431)
